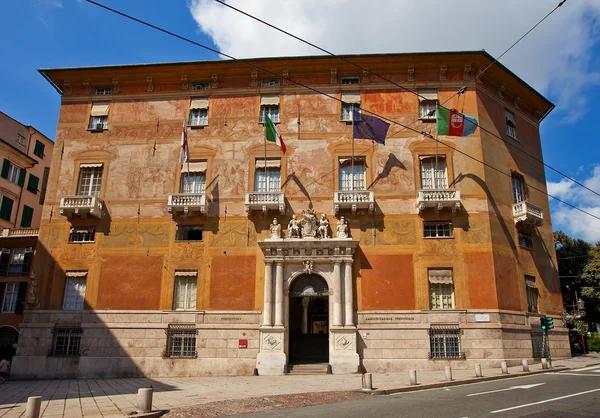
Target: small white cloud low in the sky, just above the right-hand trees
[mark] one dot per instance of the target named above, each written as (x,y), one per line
(576,223)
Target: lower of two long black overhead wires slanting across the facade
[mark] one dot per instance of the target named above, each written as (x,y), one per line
(245,62)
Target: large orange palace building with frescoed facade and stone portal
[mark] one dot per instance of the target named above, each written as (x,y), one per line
(247,258)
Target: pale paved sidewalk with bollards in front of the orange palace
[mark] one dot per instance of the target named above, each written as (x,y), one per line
(118,397)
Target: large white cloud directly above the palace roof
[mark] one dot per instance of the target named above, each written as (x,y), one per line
(553,58)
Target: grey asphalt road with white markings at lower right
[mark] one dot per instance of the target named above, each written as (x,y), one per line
(573,393)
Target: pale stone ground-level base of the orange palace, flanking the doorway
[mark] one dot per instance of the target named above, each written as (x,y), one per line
(136,343)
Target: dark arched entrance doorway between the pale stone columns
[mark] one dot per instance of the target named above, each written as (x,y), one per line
(309,320)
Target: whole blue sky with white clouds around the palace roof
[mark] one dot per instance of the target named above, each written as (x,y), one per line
(560,58)
